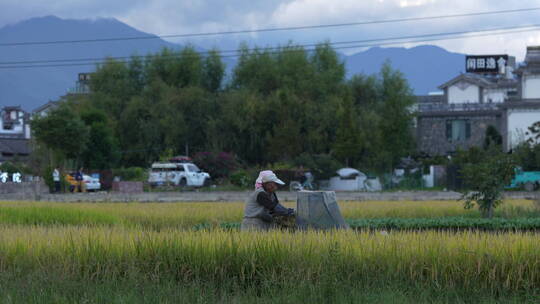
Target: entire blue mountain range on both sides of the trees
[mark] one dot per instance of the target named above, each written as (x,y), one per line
(425,67)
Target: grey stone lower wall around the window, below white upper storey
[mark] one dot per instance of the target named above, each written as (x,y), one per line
(431,136)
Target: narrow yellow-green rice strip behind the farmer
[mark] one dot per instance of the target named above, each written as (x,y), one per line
(187,215)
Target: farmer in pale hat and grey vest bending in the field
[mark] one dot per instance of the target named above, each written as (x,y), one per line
(262,207)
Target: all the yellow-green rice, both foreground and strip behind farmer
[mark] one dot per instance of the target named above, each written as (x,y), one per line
(143,252)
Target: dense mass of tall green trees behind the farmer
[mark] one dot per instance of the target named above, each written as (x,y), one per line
(276,105)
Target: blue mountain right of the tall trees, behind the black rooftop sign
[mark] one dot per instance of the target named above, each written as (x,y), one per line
(425,67)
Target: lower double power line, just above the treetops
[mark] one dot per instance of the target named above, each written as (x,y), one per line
(351,44)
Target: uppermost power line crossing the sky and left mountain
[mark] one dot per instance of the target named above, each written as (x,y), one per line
(276,29)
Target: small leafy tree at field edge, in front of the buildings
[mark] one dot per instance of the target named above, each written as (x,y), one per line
(485,179)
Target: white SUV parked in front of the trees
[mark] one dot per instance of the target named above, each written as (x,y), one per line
(178,174)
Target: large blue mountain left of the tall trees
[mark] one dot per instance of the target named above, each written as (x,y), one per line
(32,87)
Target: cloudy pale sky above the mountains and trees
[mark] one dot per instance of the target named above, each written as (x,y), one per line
(165,17)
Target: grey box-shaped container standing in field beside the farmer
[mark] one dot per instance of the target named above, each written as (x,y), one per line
(318,210)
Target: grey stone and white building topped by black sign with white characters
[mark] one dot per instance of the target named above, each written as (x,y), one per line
(487,95)
